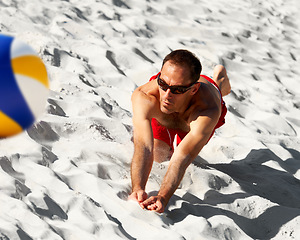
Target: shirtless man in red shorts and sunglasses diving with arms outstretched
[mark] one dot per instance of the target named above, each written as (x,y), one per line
(177,102)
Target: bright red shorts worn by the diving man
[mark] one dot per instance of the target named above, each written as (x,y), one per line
(160,132)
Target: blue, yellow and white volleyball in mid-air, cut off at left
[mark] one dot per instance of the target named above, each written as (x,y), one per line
(24,86)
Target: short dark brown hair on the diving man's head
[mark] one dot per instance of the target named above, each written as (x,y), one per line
(187,59)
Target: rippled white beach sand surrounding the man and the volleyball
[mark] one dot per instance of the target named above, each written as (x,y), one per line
(68,177)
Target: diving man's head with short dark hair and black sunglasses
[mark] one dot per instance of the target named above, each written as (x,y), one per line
(180,68)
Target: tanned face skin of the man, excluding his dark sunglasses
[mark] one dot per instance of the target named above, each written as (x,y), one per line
(173,75)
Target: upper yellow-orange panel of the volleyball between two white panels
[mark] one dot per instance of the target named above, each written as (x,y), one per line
(31,66)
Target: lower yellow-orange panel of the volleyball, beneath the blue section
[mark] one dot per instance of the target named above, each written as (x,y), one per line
(8,126)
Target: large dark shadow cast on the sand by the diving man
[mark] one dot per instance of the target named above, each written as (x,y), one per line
(256,179)
